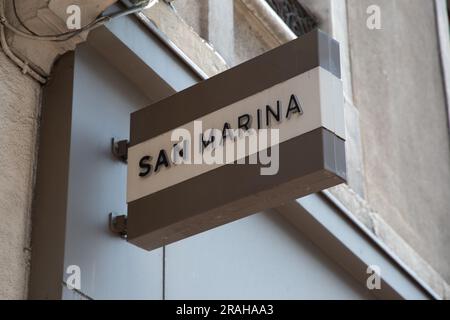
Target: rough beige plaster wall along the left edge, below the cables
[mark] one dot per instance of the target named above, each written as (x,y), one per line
(19,105)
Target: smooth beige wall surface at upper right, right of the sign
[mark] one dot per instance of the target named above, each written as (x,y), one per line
(399,91)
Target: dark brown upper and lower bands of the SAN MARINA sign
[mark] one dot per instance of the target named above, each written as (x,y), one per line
(308,163)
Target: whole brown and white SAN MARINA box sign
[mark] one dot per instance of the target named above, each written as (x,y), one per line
(258,135)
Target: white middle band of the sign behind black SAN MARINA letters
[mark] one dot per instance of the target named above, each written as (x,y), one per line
(319,94)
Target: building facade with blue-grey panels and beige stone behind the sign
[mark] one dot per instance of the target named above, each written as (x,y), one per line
(392,213)
